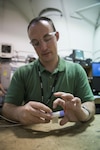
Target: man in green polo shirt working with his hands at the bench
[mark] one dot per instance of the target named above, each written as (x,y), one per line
(49,83)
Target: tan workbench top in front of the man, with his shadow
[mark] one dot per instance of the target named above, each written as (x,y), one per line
(51,136)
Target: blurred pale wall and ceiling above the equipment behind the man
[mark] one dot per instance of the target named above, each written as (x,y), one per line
(77,21)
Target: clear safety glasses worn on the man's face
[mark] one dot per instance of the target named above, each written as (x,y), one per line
(45,40)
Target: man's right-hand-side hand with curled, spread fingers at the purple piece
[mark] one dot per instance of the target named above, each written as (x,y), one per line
(72,107)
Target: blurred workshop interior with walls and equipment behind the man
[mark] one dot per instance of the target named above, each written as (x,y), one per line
(78,23)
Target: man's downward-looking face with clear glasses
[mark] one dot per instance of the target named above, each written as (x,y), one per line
(44,40)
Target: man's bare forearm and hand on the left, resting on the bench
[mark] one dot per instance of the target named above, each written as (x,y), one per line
(30,113)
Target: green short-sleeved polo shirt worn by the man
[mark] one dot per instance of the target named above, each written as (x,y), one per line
(26,86)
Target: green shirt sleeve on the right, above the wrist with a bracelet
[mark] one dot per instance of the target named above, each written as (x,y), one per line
(82,86)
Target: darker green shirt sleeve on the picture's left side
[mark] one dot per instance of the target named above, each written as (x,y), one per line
(16,90)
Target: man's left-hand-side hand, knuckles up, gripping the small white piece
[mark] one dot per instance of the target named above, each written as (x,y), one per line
(35,112)
